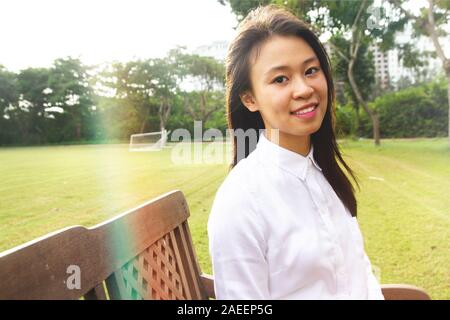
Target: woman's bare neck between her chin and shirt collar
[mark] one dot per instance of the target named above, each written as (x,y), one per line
(297,144)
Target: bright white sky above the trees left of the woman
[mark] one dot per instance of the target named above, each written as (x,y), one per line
(35,32)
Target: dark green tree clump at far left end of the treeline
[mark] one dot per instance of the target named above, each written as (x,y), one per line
(46,105)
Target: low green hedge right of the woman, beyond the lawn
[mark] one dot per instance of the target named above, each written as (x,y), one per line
(420,111)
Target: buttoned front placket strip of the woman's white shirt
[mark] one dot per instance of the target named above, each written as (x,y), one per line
(320,202)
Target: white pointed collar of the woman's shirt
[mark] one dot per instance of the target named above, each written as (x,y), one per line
(285,159)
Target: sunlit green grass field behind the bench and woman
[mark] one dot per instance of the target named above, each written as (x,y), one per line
(404,201)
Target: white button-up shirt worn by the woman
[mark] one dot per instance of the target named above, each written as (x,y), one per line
(277,230)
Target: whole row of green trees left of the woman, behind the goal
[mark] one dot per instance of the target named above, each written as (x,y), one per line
(59,104)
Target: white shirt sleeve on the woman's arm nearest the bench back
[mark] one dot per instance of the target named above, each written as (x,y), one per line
(237,248)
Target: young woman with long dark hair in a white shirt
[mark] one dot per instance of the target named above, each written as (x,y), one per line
(283,223)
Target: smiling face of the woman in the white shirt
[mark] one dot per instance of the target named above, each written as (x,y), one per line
(286,77)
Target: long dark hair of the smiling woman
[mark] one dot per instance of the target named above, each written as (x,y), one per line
(259,25)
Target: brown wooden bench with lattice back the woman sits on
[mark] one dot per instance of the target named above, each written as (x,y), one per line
(144,253)
